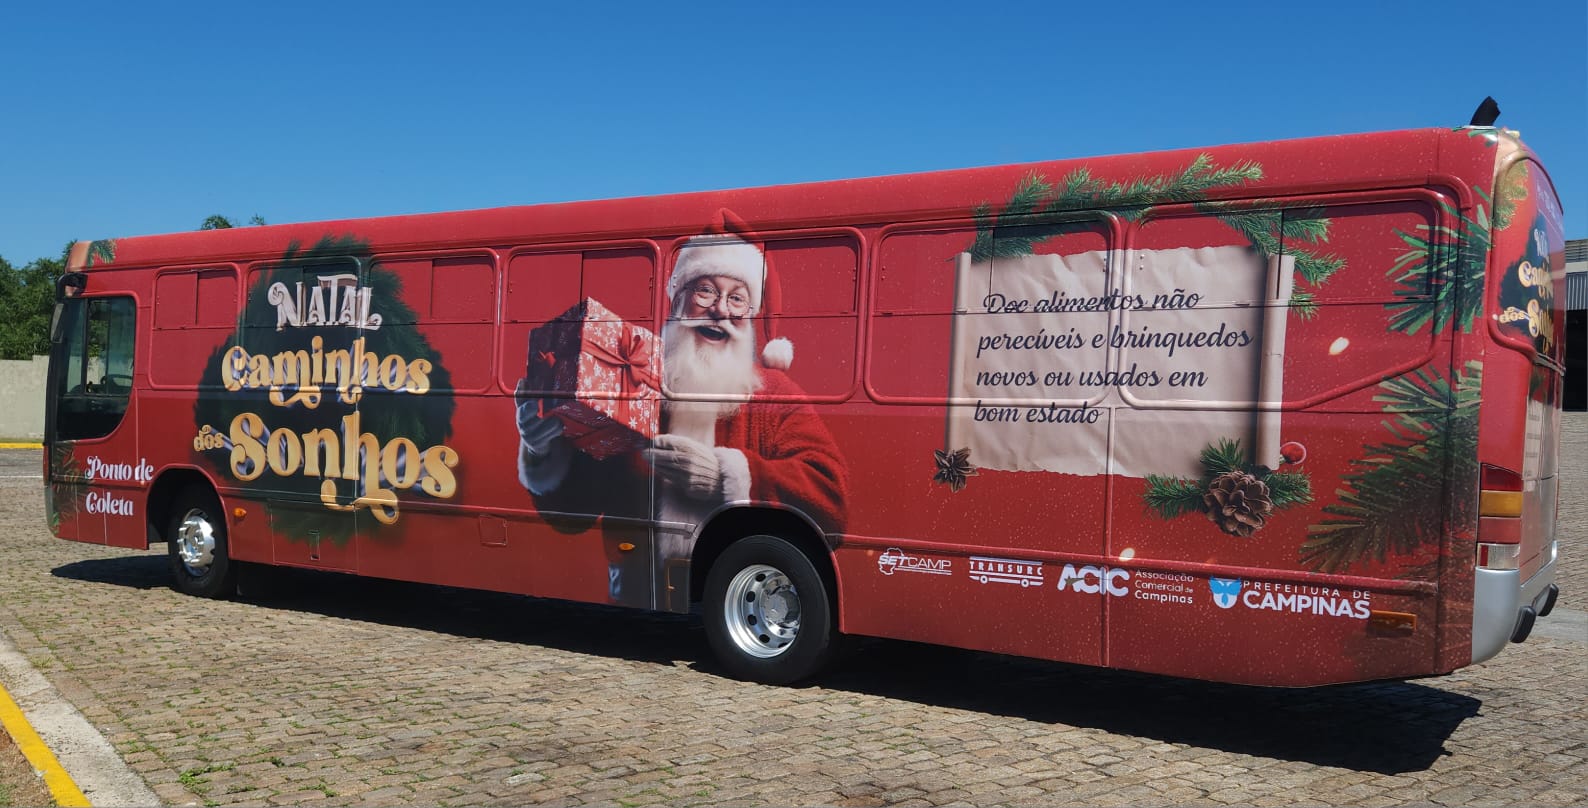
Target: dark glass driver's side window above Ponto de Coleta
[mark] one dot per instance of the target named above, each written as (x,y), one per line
(99,352)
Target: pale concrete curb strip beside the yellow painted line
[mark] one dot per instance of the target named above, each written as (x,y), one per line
(87,756)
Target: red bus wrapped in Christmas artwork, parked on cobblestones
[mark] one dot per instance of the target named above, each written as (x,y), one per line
(1281,414)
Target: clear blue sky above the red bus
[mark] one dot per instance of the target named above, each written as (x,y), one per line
(145,118)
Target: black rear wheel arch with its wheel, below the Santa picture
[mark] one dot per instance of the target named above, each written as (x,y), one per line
(769,596)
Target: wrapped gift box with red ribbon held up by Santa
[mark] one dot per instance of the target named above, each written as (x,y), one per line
(599,377)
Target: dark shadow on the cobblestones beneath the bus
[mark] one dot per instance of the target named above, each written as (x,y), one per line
(1384,728)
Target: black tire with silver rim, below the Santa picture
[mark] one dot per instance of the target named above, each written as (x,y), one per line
(752,639)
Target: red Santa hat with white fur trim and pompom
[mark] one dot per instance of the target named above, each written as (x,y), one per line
(730,250)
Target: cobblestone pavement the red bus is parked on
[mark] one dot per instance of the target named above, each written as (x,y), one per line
(344,691)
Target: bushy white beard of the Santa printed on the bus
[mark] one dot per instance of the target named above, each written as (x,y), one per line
(695,366)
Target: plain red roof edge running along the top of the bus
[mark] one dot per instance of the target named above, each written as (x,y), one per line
(1338,163)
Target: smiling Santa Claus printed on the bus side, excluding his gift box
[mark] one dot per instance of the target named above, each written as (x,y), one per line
(734,428)
